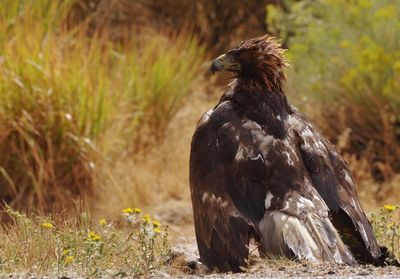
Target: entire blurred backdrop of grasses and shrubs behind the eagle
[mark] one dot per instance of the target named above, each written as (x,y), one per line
(99,98)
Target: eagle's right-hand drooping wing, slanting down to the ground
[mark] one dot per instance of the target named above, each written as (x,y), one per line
(332,179)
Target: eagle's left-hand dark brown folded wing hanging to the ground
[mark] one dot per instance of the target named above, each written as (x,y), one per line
(222,232)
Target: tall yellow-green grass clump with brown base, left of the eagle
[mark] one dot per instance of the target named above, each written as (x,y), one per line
(68,101)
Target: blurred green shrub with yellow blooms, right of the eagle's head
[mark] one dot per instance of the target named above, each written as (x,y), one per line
(345,71)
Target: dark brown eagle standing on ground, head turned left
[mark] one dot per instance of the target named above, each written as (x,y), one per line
(259,170)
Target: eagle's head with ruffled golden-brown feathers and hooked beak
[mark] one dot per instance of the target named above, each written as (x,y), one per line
(260,60)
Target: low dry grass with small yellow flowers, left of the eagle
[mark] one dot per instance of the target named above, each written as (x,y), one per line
(77,245)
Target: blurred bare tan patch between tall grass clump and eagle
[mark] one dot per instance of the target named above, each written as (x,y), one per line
(161,174)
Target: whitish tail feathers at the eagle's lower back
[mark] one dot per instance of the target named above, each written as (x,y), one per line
(313,238)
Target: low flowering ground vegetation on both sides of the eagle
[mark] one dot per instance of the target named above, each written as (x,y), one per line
(132,244)
